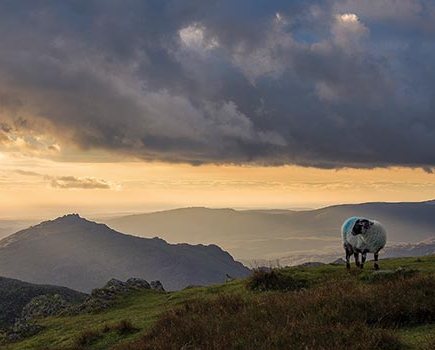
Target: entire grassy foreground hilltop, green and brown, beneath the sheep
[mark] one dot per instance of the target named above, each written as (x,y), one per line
(321,307)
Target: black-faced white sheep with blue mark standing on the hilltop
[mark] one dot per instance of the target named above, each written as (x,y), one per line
(361,236)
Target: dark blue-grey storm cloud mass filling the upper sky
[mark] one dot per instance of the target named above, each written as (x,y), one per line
(318,83)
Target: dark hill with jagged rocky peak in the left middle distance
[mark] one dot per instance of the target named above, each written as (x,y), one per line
(74,252)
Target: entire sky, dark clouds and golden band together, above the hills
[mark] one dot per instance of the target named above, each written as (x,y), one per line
(129,106)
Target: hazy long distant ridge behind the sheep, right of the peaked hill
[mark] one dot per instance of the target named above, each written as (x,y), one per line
(272,234)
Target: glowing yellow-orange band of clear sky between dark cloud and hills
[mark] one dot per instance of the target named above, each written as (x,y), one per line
(33,187)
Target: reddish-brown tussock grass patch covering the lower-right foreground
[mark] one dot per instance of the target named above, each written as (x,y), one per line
(337,315)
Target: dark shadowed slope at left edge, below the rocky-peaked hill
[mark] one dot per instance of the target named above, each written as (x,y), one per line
(15,294)
